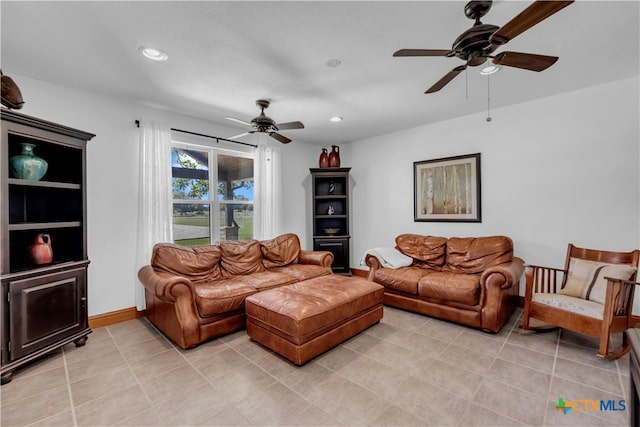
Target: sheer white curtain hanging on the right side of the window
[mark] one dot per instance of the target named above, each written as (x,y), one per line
(267,195)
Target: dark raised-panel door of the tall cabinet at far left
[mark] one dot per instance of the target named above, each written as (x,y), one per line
(46,309)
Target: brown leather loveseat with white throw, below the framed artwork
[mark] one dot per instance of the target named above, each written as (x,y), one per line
(472,281)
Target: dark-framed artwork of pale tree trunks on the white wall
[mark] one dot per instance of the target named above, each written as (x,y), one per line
(447,189)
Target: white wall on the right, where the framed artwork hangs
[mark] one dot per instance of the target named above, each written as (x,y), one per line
(554,171)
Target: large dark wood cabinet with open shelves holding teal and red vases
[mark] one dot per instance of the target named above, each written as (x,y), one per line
(44,305)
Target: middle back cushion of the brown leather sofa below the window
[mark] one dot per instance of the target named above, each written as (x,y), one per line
(240,257)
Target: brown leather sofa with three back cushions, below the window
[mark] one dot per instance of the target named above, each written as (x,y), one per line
(197,293)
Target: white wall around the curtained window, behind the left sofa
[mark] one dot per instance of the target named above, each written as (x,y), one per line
(112,177)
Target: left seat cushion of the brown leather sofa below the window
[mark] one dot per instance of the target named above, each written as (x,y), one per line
(222,296)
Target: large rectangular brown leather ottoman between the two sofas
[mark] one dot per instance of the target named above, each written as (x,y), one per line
(305,319)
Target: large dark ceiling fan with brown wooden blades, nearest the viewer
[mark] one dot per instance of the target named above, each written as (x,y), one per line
(478,43)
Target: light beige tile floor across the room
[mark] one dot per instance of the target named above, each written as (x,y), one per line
(407,370)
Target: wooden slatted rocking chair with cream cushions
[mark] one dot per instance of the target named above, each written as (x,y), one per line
(592,295)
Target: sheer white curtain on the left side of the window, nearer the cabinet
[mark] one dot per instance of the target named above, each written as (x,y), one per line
(154,196)
